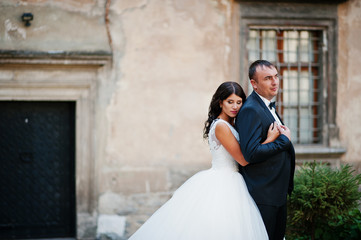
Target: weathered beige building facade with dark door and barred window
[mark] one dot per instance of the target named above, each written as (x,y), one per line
(131,81)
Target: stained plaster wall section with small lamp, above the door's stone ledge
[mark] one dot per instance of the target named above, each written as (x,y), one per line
(58,26)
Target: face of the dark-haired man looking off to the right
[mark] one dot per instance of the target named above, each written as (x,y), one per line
(266,82)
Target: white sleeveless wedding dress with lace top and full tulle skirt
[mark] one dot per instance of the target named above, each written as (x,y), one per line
(214,204)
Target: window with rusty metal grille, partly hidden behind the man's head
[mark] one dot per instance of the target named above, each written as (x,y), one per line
(297,54)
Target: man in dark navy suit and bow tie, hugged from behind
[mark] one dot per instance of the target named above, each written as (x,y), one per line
(269,174)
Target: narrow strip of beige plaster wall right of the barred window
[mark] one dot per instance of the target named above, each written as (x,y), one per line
(349,79)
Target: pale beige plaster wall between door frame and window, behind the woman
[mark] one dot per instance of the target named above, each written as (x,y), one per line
(168,59)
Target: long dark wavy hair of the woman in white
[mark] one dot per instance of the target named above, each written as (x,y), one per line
(223,92)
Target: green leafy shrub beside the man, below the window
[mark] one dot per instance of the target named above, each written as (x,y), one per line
(324,204)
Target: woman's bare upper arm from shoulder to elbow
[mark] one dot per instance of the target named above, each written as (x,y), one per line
(229,142)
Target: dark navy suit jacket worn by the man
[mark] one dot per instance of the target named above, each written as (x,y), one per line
(269,174)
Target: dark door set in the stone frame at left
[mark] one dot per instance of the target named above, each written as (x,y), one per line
(37,170)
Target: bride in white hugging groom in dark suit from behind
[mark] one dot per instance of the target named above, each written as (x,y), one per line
(243,195)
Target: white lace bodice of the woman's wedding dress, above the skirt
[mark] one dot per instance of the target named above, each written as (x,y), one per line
(221,159)
